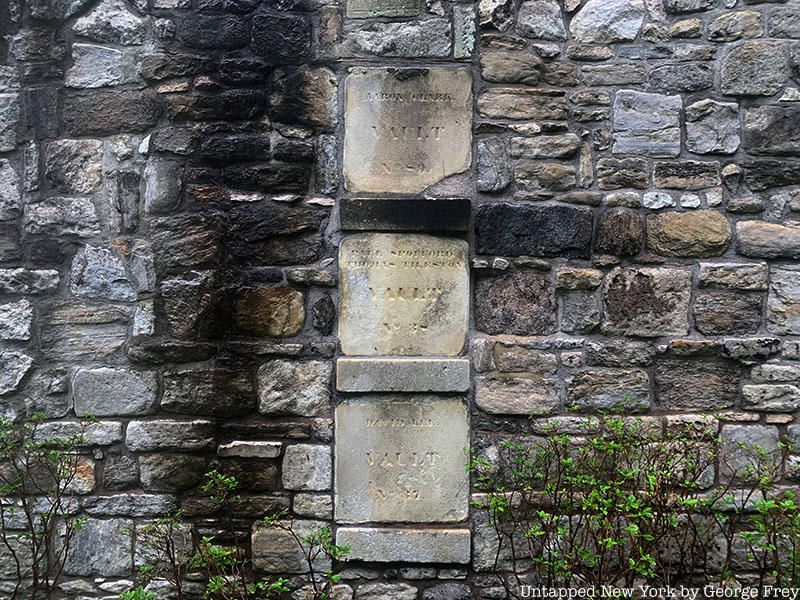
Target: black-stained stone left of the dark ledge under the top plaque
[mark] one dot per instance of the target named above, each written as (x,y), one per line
(271,233)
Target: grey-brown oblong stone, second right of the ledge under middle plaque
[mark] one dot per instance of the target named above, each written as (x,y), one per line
(609,390)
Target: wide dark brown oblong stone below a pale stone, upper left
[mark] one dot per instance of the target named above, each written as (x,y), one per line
(106,113)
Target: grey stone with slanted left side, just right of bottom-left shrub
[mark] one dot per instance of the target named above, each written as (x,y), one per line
(101,547)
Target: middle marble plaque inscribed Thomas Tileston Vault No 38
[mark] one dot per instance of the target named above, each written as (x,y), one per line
(403,294)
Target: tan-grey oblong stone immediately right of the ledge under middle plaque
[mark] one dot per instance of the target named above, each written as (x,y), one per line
(528,394)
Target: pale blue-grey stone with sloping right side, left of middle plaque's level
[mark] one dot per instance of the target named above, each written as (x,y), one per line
(97,273)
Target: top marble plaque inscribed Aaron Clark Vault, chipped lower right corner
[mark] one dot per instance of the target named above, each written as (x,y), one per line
(406,128)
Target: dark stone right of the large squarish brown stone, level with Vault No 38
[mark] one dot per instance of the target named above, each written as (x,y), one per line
(727,313)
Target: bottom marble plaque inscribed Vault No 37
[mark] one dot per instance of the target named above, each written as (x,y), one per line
(401,460)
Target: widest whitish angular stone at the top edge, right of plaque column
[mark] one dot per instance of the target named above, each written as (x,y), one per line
(608,21)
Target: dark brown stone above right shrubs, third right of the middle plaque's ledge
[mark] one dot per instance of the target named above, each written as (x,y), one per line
(692,384)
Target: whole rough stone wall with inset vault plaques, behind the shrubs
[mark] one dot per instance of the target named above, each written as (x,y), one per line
(177,177)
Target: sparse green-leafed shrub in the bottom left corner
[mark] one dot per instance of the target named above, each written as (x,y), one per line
(38,480)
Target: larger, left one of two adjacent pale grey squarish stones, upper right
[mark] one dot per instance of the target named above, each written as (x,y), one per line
(647,124)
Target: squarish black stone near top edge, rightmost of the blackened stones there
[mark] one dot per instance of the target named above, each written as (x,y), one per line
(283,38)
